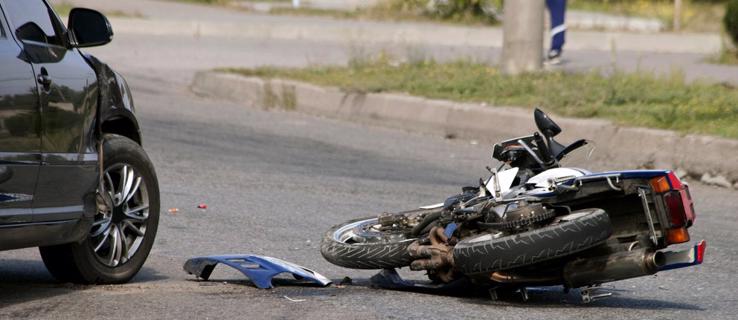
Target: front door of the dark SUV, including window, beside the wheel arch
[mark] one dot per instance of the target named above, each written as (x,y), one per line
(68,98)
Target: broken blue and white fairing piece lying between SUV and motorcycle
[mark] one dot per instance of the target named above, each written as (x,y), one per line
(259,269)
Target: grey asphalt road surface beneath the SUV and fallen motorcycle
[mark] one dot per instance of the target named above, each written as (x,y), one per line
(275,181)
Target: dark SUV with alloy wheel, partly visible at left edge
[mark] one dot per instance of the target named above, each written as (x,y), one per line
(74,179)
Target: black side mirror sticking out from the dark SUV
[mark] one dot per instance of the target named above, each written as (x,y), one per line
(89,28)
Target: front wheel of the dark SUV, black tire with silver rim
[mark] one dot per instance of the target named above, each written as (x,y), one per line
(82,262)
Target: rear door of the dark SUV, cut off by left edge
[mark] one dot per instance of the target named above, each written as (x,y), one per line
(20,132)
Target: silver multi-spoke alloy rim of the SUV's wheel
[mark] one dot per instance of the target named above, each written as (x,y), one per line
(119,226)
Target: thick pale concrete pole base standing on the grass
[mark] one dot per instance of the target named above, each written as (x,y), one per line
(522,48)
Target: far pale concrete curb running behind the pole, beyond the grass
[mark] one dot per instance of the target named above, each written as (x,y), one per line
(403,33)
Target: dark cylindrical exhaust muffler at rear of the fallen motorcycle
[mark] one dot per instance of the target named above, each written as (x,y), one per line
(618,266)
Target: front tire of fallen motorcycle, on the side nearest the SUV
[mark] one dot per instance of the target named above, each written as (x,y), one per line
(381,255)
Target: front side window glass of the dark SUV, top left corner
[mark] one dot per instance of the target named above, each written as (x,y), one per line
(21,12)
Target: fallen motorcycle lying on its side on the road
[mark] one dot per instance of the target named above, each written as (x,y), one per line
(533,223)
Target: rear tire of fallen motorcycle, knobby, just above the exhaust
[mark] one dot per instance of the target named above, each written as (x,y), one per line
(482,255)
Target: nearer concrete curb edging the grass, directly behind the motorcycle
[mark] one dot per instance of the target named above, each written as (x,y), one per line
(617,147)
